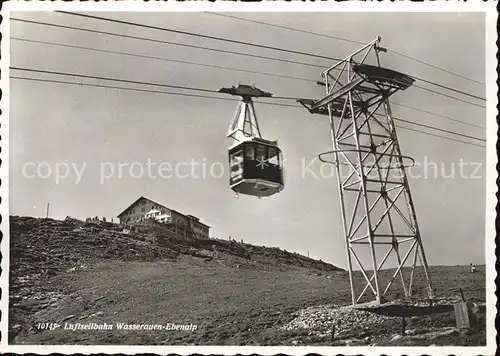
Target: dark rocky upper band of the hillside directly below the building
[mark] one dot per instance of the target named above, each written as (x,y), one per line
(46,246)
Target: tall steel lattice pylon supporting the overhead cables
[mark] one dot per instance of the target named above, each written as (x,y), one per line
(378,214)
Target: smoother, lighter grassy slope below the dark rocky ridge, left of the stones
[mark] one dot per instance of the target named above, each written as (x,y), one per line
(228,305)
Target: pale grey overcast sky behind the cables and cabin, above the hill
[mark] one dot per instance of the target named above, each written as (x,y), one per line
(92,128)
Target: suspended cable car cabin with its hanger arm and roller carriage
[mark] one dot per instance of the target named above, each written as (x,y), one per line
(256,164)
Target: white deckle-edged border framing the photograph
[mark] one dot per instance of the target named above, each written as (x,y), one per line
(271,6)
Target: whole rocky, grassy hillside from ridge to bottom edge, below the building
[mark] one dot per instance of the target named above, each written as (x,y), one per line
(236,293)
